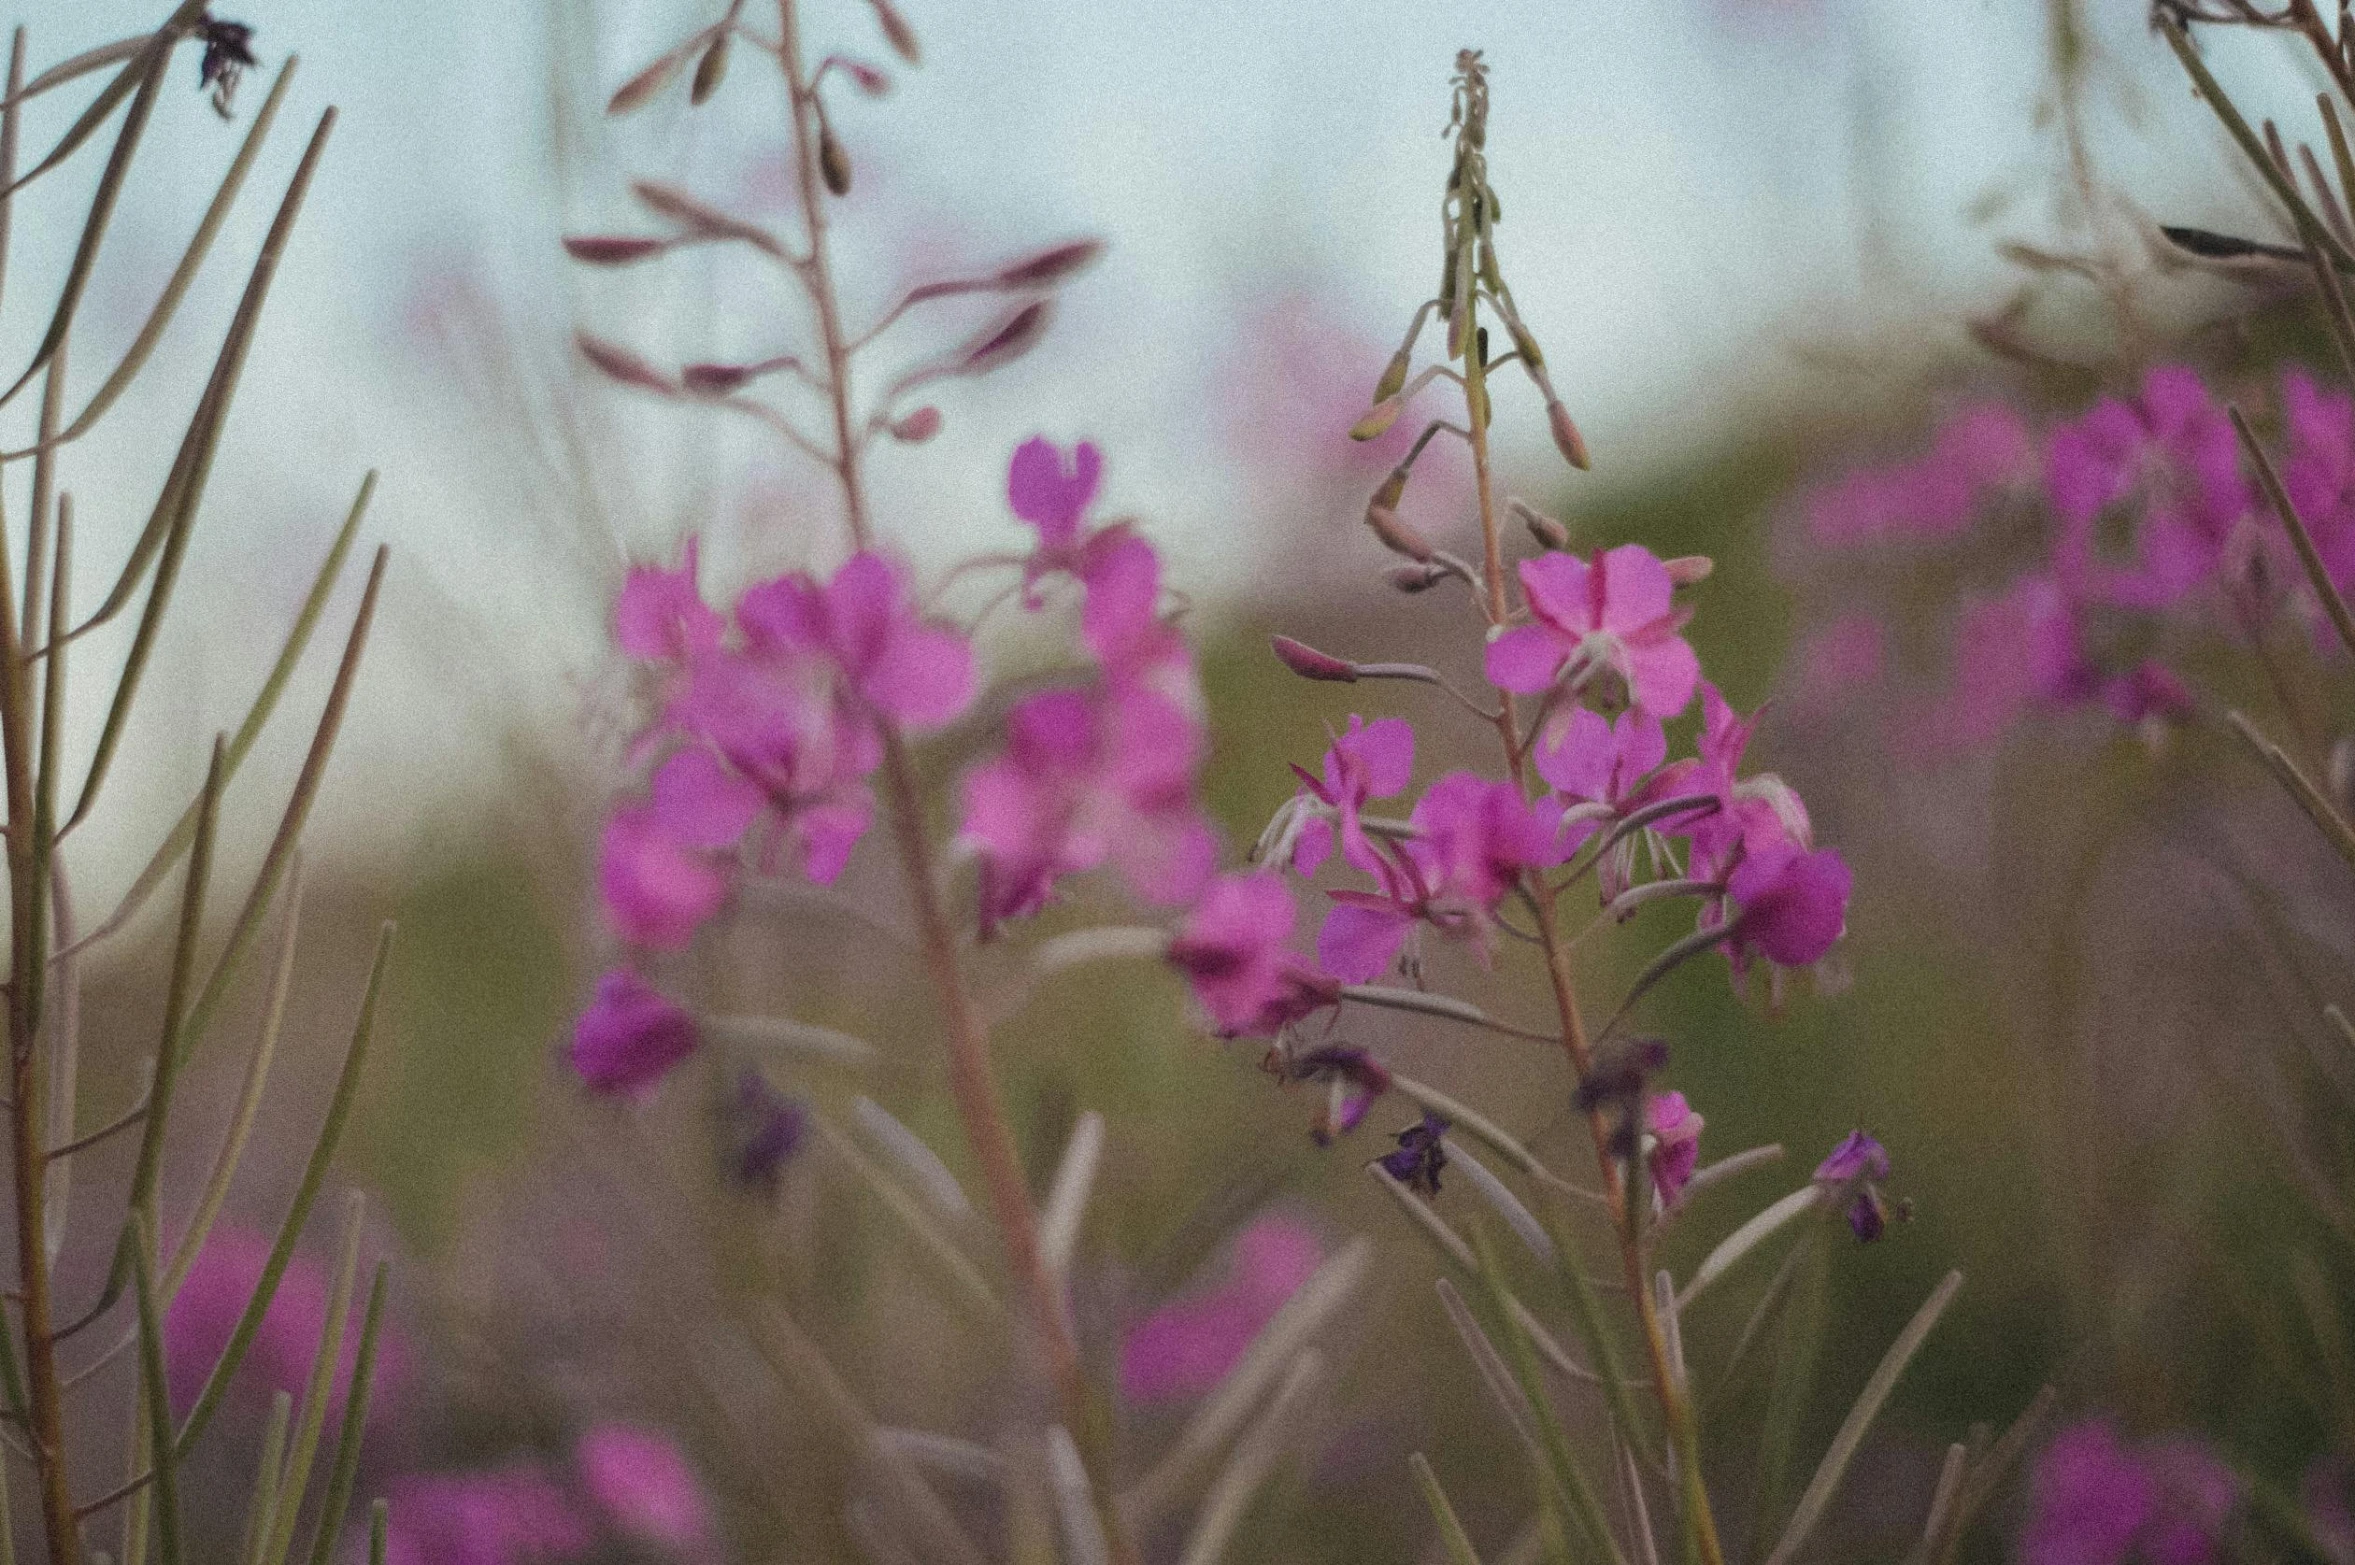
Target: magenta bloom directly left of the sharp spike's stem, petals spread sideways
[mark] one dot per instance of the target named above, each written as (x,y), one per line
(1473,844)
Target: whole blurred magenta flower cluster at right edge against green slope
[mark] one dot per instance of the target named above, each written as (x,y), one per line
(2147,524)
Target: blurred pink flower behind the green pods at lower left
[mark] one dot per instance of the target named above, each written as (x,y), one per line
(211,1300)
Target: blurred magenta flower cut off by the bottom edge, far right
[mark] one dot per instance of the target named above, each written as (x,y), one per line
(2097,1503)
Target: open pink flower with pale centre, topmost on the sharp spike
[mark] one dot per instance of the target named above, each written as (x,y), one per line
(1612,615)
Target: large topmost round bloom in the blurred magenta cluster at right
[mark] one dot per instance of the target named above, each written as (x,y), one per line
(2168,465)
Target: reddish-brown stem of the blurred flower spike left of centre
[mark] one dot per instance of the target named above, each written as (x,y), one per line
(971,1079)
